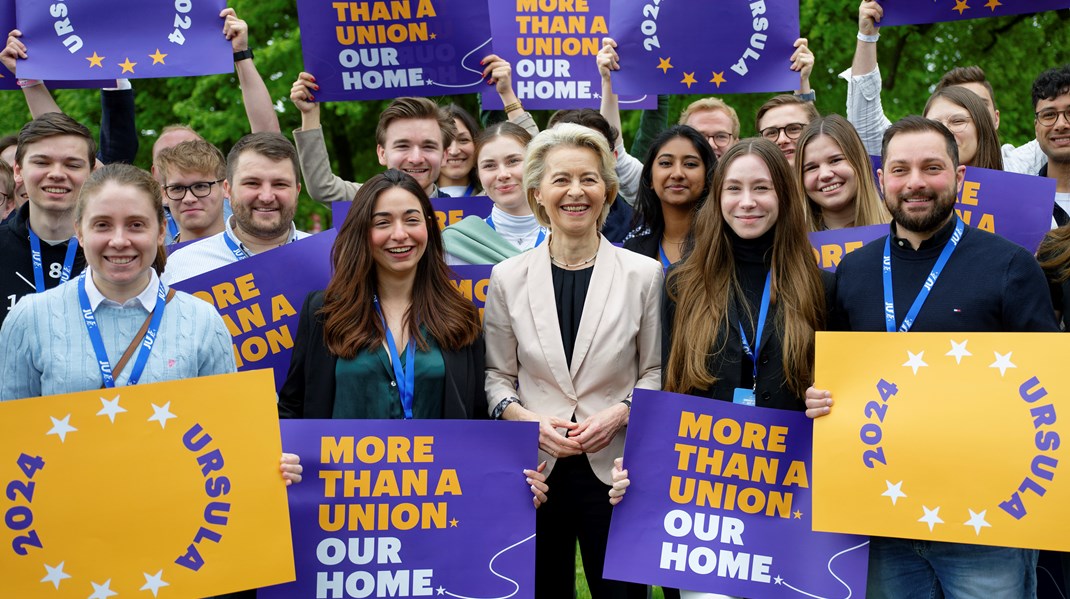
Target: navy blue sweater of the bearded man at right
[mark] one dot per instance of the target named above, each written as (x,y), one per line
(990,285)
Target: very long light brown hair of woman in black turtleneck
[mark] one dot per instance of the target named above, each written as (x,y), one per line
(706,283)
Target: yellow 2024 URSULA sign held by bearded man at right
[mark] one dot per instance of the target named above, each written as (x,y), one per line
(951,437)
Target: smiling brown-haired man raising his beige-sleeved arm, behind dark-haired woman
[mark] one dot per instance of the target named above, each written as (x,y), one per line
(411,136)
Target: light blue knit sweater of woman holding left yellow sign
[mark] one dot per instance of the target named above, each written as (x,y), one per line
(45,349)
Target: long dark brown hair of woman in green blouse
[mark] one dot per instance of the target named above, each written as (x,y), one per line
(350,321)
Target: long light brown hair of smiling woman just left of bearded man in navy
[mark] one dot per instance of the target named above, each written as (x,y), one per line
(869,209)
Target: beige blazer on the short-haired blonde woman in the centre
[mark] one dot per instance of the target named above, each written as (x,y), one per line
(618,346)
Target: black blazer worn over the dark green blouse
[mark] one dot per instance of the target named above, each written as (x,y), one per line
(310,388)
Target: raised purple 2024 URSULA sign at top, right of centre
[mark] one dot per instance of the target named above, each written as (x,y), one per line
(670,48)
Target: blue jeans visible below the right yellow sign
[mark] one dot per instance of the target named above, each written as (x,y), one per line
(912,570)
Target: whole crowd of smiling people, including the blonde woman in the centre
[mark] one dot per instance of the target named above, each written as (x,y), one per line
(715,293)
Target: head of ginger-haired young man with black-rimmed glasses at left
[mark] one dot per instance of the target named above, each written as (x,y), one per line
(192,175)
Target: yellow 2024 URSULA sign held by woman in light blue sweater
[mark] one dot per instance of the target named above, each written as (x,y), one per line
(164,490)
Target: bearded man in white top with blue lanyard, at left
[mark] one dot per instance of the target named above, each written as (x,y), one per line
(264,185)
